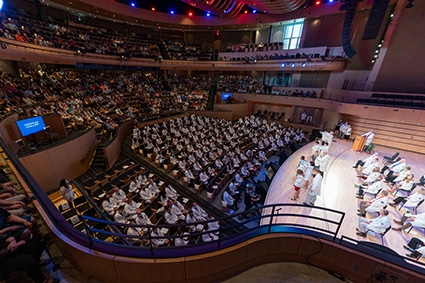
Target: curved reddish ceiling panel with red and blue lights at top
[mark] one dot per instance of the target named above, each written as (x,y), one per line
(269,12)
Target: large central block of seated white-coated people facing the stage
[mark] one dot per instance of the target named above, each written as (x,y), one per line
(198,148)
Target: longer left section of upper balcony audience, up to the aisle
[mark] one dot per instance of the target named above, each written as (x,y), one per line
(83,40)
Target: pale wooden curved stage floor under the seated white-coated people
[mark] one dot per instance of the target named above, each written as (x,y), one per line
(339,193)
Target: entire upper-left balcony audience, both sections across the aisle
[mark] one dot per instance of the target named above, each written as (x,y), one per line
(88,39)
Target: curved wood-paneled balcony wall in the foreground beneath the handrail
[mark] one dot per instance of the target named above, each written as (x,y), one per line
(228,262)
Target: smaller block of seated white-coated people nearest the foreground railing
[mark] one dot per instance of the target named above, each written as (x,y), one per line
(128,205)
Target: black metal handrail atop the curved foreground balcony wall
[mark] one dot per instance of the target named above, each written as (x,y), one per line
(270,220)
